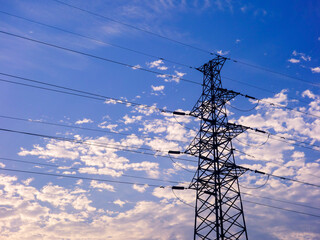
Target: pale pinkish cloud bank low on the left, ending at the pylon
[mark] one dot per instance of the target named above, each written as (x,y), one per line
(49,218)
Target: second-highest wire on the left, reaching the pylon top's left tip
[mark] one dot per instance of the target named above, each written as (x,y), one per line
(96,40)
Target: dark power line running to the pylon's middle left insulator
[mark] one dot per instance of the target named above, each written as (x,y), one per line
(108,146)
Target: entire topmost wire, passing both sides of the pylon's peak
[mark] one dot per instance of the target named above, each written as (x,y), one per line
(187,45)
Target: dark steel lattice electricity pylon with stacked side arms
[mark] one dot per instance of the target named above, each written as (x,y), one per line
(218,211)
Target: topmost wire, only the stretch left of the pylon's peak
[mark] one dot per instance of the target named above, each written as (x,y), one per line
(134,27)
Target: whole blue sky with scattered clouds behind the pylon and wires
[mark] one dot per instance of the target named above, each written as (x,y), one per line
(282,36)
